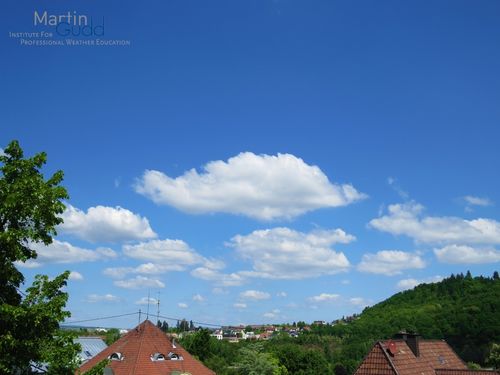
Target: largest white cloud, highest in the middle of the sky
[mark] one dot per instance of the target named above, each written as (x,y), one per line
(263,187)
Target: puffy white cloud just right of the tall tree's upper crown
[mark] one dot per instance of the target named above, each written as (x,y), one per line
(105,224)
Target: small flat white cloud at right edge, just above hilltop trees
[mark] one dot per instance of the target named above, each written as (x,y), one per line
(462,254)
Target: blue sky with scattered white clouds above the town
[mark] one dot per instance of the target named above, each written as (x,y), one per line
(262,161)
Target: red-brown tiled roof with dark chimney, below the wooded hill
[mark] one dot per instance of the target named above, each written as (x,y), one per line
(407,354)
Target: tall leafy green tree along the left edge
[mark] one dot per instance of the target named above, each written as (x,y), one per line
(29,323)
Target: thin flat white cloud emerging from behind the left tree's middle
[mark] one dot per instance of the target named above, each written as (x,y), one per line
(62,252)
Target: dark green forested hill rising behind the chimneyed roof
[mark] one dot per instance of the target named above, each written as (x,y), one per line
(463,310)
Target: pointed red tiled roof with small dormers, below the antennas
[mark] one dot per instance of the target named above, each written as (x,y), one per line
(138,346)
